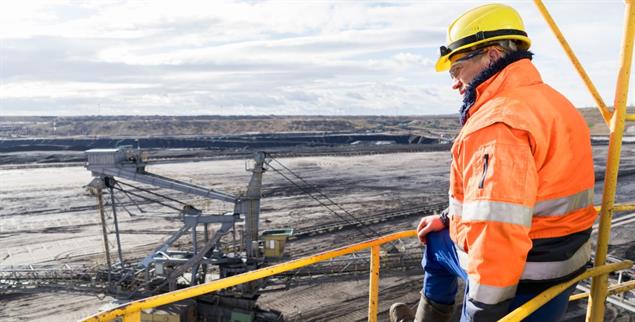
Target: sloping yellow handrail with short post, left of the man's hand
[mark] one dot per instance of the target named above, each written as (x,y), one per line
(131,311)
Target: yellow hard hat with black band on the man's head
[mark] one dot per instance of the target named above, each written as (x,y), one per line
(482,25)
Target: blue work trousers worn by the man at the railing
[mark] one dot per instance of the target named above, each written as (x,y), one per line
(441,266)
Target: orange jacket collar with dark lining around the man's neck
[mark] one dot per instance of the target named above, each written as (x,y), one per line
(511,71)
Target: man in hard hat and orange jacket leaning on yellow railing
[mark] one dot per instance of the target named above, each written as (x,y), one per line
(521,181)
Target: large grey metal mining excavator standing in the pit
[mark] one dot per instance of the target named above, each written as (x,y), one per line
(167,268)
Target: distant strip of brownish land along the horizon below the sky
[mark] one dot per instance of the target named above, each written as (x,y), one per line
(159,125)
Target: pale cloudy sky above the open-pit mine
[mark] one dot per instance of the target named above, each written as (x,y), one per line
(147,57)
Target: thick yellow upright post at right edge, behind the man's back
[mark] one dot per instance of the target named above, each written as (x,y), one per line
(599,285)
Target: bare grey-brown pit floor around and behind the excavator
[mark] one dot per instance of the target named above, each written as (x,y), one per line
(48,218)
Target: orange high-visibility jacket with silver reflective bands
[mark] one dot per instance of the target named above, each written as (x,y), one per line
(521,186)
